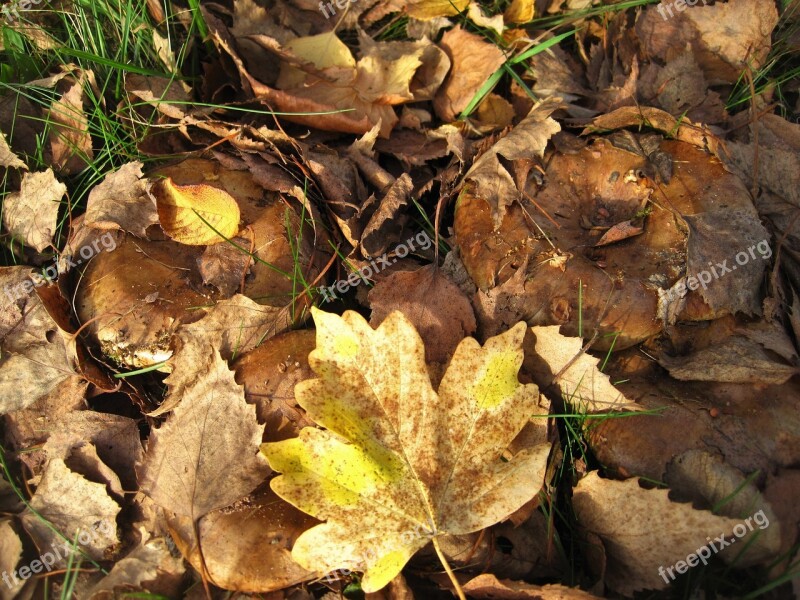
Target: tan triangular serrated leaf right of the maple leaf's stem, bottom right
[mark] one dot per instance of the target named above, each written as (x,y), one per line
(656,534)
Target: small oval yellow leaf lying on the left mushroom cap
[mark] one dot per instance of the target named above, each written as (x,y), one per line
(196,214)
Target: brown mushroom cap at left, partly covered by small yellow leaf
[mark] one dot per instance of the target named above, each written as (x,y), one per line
(136,296)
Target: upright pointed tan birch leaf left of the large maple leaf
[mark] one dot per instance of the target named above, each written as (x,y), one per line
(205,455)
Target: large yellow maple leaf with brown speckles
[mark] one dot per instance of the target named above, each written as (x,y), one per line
(399,463)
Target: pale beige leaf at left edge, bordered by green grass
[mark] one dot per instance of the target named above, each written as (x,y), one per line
(31,213)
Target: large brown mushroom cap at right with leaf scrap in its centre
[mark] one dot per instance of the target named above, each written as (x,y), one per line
(585,193)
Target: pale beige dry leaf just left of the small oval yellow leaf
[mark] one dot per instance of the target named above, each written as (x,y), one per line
(121,201)
